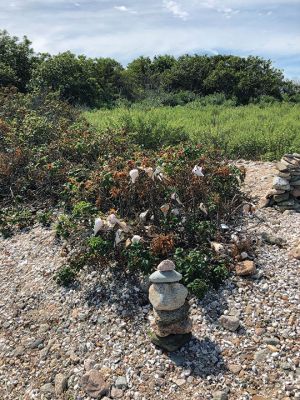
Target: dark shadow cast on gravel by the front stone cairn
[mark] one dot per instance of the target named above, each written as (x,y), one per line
(202,357)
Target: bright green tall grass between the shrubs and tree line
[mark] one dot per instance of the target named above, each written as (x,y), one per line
(252,132)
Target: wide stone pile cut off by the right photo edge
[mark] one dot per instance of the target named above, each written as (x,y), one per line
(285,194)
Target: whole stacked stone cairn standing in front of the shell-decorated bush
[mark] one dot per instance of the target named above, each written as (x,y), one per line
(171,326)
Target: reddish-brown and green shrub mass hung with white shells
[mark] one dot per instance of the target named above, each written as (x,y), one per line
(60,161)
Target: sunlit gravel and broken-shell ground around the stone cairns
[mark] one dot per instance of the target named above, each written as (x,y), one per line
(46,330)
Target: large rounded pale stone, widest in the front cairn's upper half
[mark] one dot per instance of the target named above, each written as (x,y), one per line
(167,296)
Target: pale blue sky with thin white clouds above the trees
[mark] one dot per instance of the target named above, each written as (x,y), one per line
(126,29)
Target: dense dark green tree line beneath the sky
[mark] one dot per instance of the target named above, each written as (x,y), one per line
(104,82)
